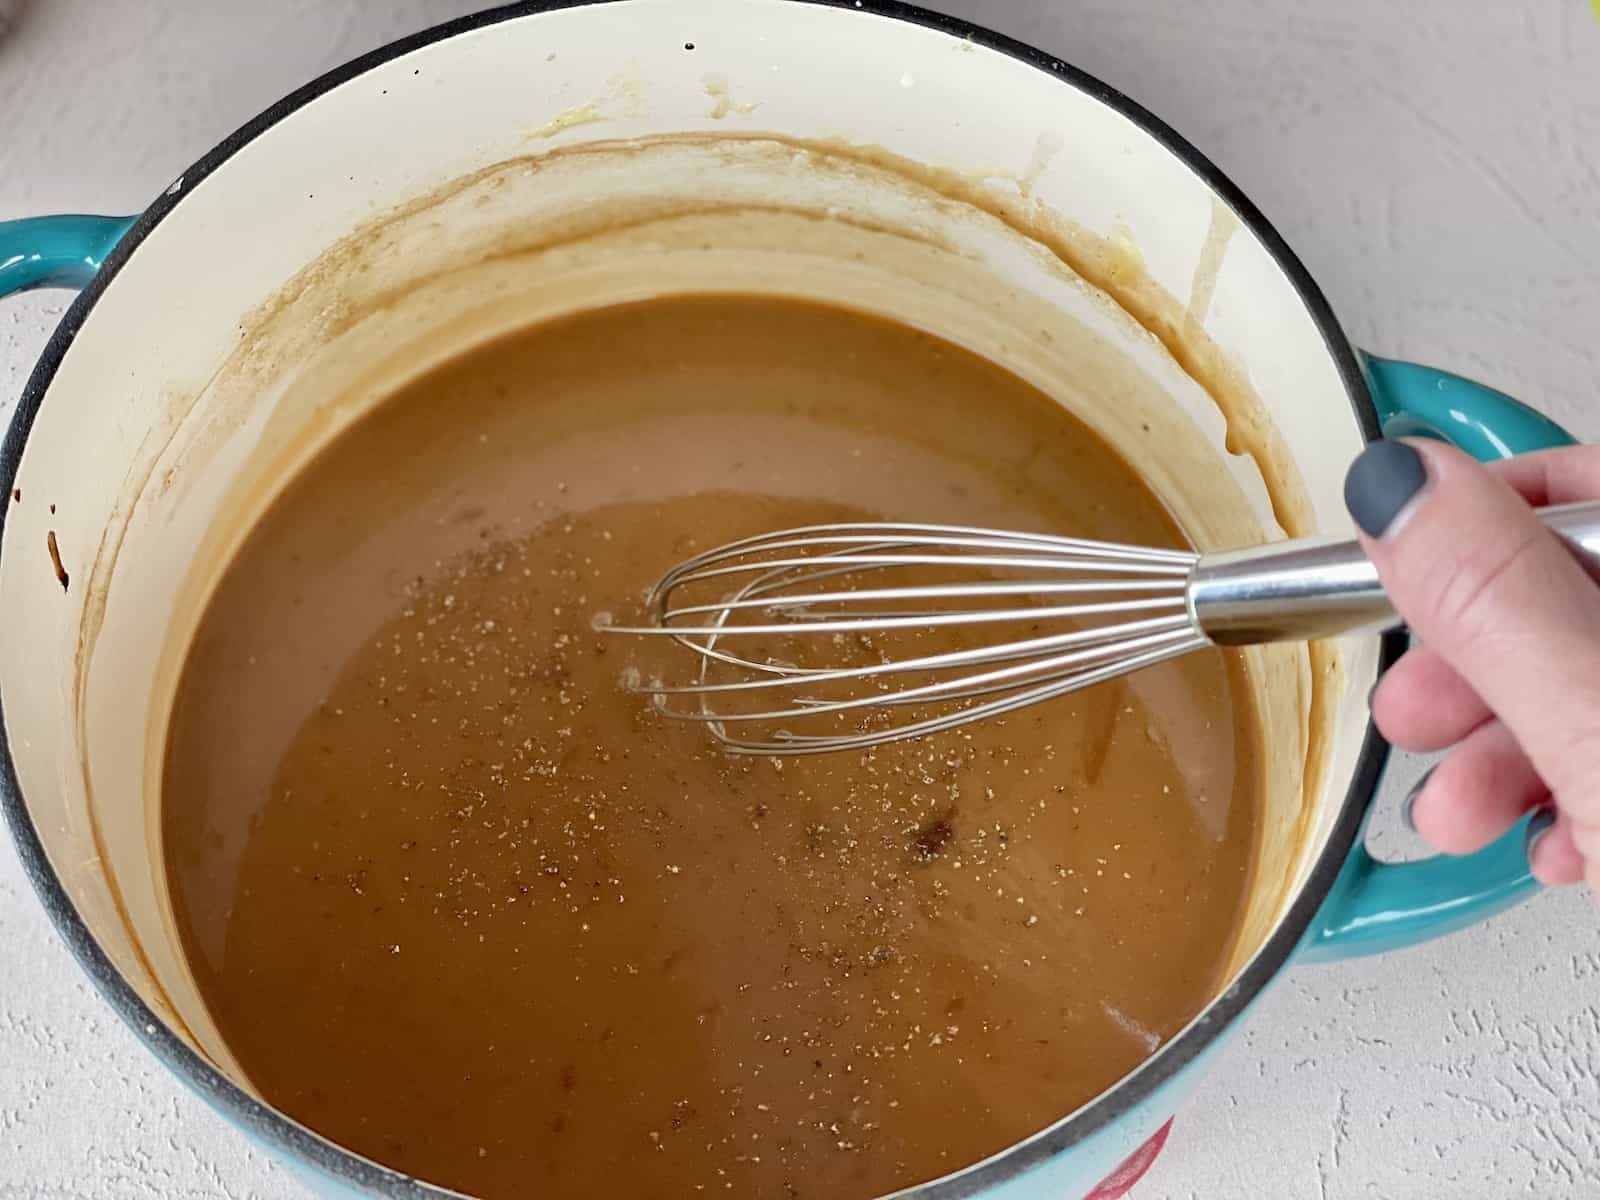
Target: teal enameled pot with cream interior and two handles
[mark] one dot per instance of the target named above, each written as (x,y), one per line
(409,199)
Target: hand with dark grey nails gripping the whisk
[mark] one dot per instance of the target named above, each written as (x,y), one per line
(1508,668)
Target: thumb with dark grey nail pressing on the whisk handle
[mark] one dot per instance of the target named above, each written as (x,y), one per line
(1482,582)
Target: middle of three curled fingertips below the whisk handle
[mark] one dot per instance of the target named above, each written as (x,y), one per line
(1478,793)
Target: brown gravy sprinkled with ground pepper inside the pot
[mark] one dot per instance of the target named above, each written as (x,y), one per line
(463,905)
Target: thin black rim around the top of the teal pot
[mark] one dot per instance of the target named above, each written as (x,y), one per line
(282,1134)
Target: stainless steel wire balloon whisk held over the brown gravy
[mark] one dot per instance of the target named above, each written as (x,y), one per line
(812,641)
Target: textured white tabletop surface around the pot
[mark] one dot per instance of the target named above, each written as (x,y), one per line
(1436,164)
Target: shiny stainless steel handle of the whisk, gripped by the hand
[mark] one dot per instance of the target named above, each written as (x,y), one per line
(1319,588)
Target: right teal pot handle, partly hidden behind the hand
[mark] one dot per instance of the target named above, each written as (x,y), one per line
(1382,906)
